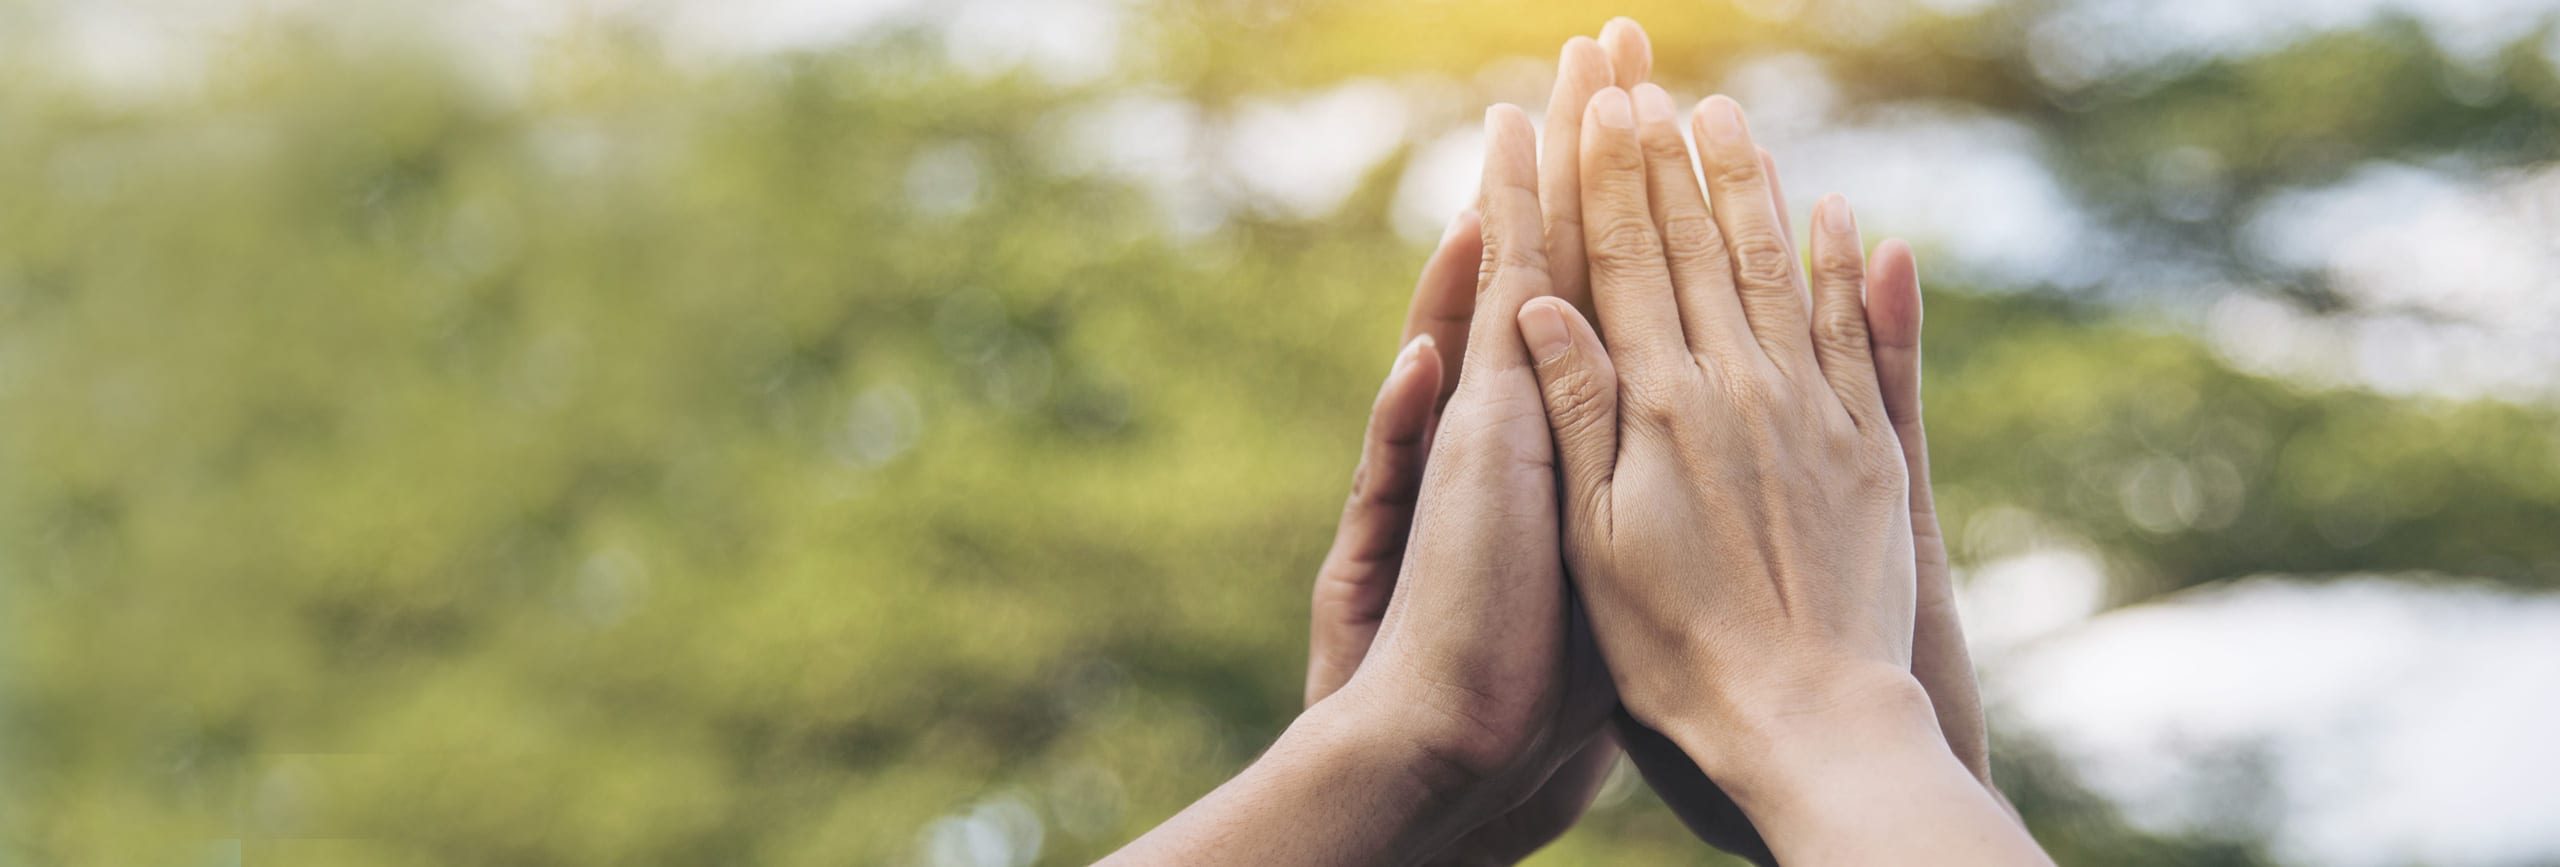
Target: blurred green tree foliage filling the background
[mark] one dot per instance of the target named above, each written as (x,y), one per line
(797,464)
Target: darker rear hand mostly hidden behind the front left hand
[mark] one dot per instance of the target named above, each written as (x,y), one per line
(1358,577)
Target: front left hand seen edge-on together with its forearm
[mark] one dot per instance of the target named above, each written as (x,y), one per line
(1478,682)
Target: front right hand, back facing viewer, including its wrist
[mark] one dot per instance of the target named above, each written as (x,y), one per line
(1722,428)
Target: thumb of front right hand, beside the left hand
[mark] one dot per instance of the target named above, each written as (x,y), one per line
(1581,390)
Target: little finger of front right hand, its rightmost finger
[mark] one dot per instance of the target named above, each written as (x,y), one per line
(1839,313)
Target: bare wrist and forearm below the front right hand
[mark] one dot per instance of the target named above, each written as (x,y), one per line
(1868,781)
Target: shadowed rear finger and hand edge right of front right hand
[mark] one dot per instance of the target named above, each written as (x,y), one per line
(1939,653)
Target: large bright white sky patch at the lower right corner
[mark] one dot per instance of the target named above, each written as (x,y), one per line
(2395,722)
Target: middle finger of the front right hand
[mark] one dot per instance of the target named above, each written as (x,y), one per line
(1711,318)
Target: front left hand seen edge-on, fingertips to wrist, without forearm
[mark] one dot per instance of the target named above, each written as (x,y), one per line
(1478,636)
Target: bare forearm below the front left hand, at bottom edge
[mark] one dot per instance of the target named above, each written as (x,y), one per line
(1332,792)
